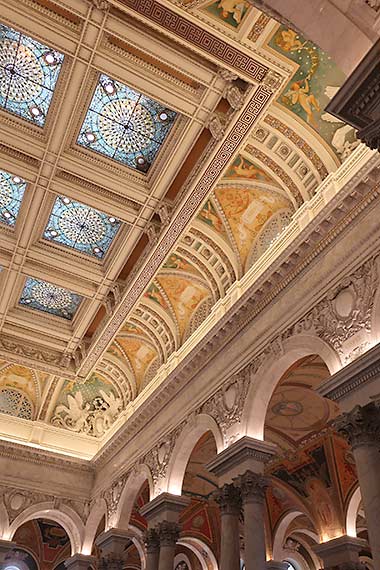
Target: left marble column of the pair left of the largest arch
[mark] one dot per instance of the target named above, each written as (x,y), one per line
(229,501)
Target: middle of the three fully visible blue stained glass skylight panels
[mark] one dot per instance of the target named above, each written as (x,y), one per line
(83,228)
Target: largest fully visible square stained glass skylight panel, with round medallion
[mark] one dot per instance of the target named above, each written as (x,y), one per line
(125,125)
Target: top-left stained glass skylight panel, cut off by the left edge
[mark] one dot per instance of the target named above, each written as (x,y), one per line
(29,72)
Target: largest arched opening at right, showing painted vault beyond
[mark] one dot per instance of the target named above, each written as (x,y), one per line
(309,474)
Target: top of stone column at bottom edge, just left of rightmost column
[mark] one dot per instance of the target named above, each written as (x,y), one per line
(341,553)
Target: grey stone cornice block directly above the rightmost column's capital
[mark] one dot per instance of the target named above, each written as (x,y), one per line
(350,378)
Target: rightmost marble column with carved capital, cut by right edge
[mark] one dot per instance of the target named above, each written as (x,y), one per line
(361,427)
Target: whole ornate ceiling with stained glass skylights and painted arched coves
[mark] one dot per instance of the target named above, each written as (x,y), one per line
(149,155)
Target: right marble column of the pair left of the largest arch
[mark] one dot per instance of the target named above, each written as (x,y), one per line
(252,487)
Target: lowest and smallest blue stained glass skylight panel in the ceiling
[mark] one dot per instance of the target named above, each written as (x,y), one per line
(44,296)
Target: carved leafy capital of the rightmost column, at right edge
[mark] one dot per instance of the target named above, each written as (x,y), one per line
(361,426)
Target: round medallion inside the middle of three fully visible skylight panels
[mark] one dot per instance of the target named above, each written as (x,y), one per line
(82,225)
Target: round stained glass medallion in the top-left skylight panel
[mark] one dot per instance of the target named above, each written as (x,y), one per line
(19,63)
